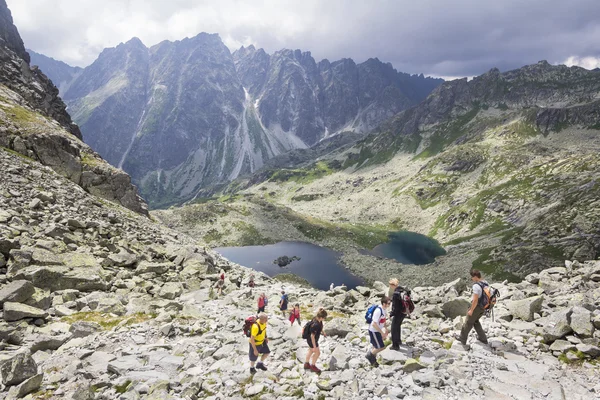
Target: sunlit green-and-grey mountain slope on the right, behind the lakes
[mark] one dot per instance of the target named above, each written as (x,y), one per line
(502,170)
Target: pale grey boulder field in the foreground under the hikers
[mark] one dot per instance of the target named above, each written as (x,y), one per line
(99,303)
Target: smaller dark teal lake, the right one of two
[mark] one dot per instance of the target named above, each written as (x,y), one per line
(409,248)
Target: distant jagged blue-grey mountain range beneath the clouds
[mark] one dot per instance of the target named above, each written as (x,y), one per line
(183,115)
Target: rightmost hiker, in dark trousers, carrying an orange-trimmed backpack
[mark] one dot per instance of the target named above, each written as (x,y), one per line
(484,299)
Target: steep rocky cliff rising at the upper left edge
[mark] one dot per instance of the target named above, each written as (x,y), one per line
(35,124)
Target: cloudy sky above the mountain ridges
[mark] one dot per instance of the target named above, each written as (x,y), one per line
(435,37)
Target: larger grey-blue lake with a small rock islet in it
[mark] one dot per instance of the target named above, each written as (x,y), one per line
(318,265)
